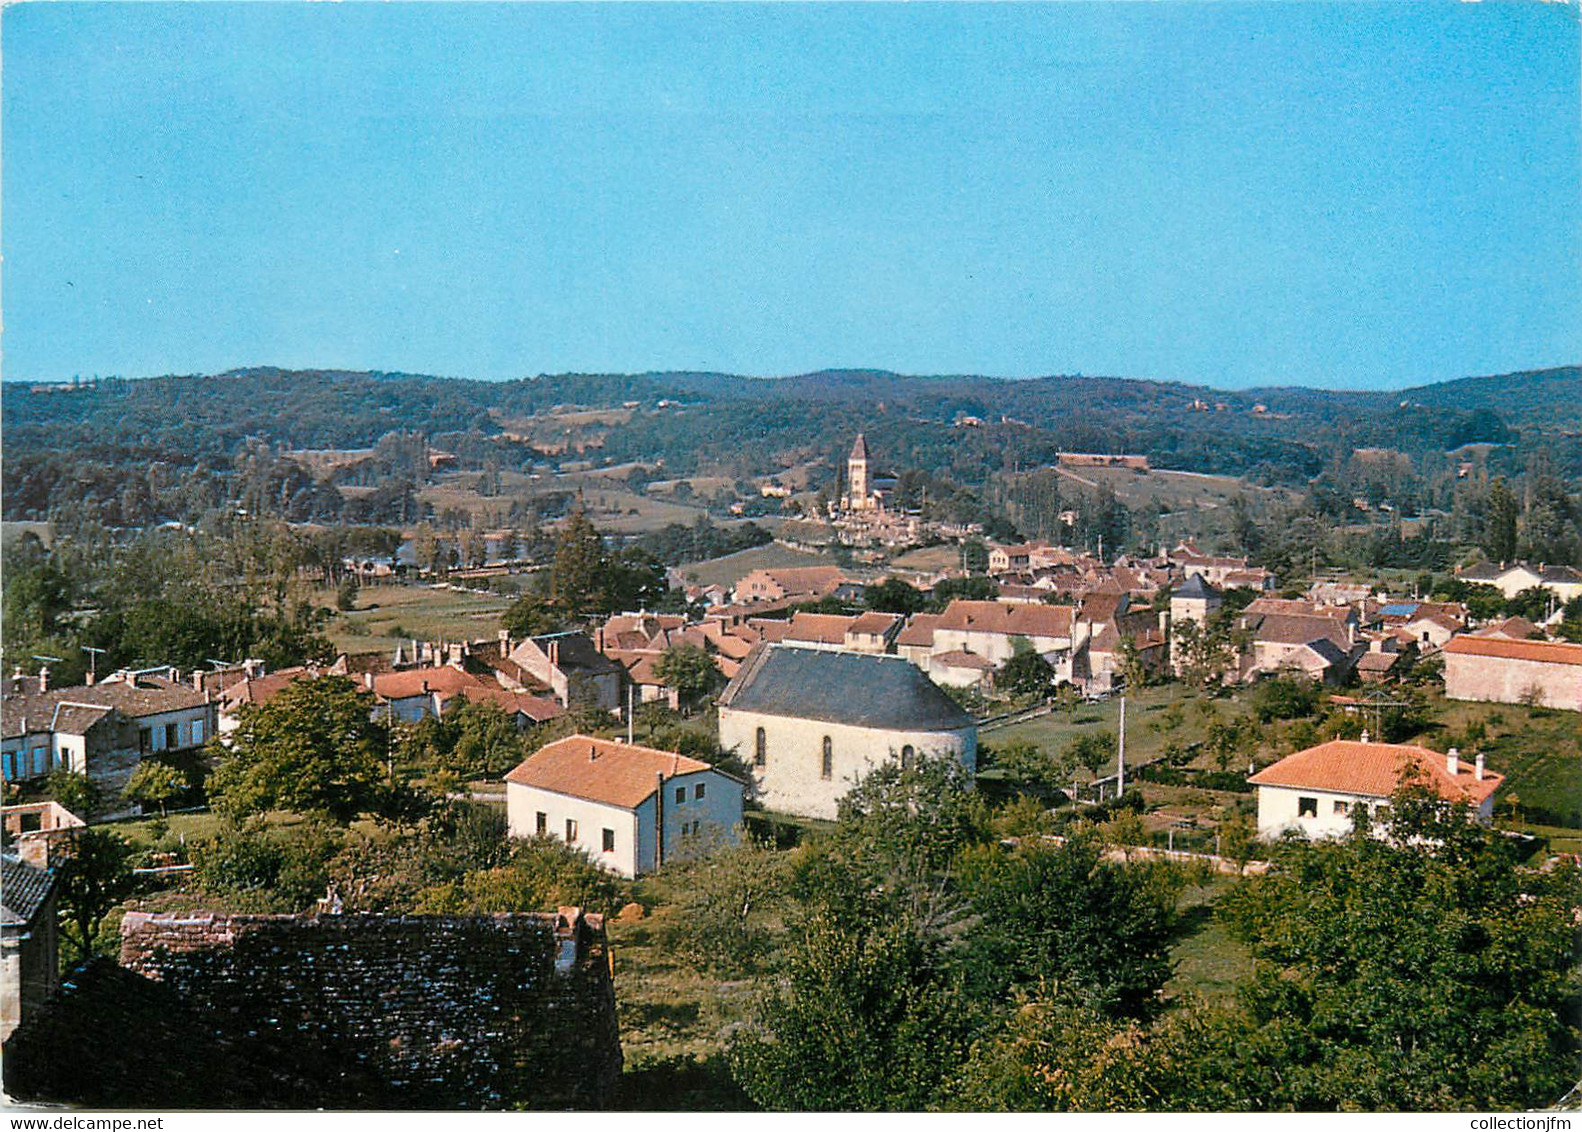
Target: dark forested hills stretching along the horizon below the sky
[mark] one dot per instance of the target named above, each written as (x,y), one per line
(759,426)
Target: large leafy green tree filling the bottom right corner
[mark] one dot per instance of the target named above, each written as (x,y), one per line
(1420,972)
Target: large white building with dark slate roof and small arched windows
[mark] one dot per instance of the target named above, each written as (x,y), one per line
(811,725)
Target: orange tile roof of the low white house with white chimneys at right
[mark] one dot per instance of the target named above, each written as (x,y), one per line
(1377,771)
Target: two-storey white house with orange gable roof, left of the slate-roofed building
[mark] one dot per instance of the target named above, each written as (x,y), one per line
(630,809)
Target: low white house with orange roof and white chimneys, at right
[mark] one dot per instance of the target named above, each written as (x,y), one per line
(1317,791)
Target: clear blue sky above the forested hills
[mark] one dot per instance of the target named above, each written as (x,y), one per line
(1279,194)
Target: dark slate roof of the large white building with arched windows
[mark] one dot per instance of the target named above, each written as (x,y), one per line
(861,690)
